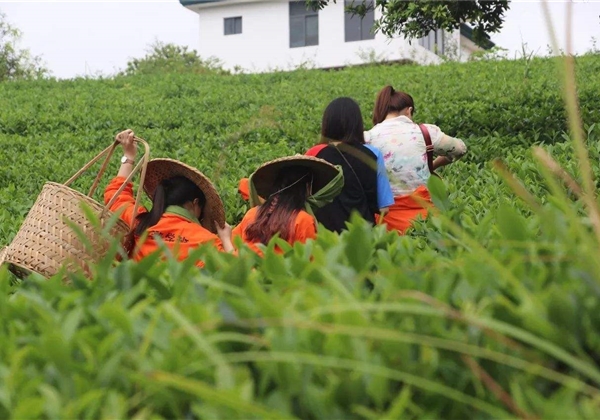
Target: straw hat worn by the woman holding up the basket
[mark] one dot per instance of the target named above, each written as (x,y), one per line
(161,169)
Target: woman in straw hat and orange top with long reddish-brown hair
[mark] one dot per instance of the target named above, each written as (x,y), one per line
(288,184)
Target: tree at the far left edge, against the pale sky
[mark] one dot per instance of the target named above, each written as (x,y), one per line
(16,63)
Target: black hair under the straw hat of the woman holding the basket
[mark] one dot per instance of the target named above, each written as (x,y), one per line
(175,191)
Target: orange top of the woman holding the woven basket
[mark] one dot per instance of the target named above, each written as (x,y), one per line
(180,233)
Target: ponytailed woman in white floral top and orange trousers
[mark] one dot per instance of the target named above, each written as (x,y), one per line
(408,150)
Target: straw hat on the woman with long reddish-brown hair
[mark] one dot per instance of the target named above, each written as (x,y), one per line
(264,177)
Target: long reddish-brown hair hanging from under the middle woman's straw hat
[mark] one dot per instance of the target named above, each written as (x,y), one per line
(276,214)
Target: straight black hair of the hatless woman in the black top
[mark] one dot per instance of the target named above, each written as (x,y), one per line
(342,121)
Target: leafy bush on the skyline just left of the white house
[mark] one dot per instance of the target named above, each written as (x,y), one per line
(171,58)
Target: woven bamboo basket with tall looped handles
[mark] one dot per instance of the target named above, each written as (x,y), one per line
(48,239)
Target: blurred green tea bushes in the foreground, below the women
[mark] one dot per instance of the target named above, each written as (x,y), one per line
(362,325)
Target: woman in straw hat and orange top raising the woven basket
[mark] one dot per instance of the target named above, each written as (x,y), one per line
(186,208)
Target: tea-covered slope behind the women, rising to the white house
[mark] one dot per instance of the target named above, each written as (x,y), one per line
(228,125)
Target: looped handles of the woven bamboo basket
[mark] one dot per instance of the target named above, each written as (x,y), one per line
(108,152)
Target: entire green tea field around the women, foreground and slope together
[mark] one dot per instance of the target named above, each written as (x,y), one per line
(488,311)
